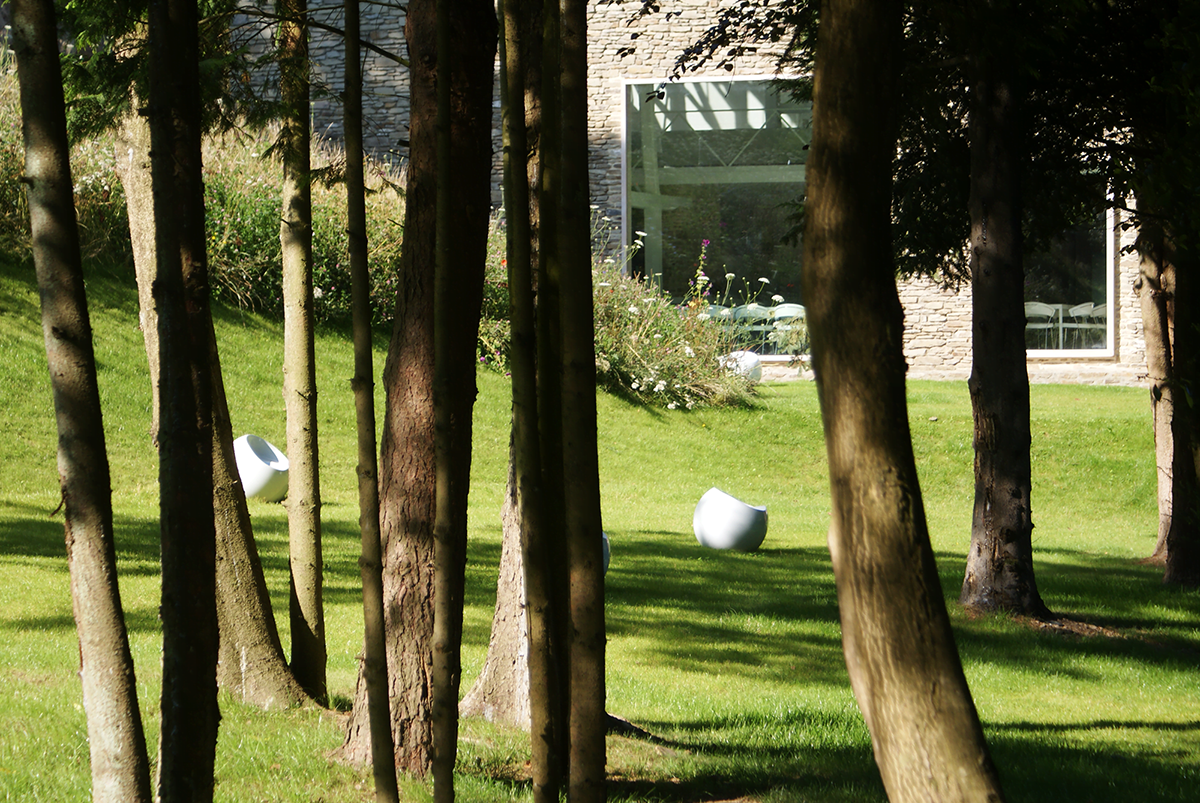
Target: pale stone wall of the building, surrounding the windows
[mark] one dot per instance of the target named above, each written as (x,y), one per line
(938,322)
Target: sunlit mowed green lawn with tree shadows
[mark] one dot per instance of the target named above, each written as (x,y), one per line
(733,662)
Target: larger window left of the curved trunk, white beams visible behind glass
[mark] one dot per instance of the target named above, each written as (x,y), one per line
(716,166)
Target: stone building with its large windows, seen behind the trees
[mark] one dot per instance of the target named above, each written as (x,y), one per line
(713,160)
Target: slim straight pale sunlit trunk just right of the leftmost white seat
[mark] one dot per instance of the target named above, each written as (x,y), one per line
(305,561)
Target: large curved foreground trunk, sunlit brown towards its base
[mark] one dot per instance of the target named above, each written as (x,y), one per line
(901,652)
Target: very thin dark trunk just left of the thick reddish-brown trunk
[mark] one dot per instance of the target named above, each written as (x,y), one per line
(375,657)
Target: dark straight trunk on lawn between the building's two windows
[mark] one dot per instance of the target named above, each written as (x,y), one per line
(1000,562)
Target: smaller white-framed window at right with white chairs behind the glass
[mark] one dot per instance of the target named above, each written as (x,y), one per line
(1067,292)
